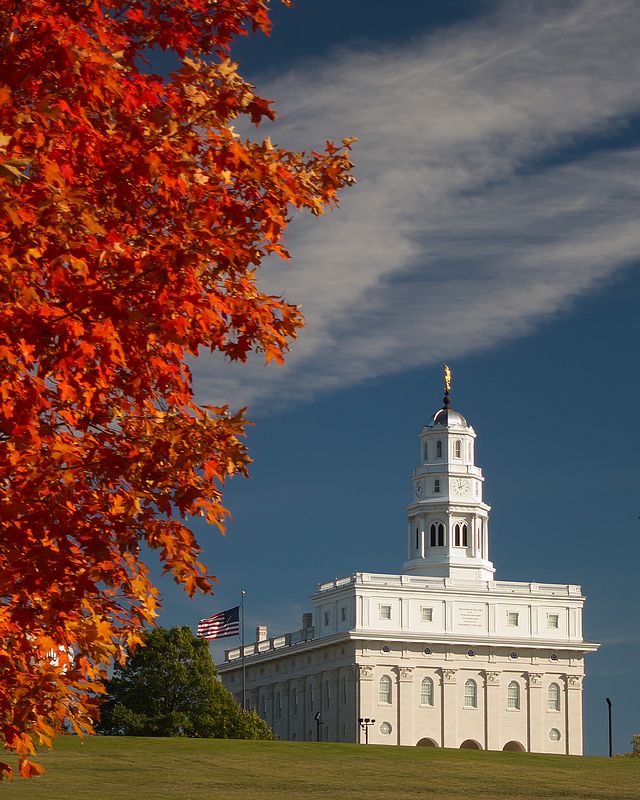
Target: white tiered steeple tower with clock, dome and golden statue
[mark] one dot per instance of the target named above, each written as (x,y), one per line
(448,520)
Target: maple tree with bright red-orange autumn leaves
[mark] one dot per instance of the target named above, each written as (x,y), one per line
(133,221)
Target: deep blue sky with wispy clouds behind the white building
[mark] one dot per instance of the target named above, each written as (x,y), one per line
(495,226)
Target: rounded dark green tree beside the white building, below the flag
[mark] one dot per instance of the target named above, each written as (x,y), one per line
(168,687)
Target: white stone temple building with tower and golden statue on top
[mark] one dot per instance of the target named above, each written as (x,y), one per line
(440,655)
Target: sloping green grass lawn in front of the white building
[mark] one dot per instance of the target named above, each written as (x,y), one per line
(113,768)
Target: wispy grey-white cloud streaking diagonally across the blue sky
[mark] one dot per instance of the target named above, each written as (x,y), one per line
(475,216)
